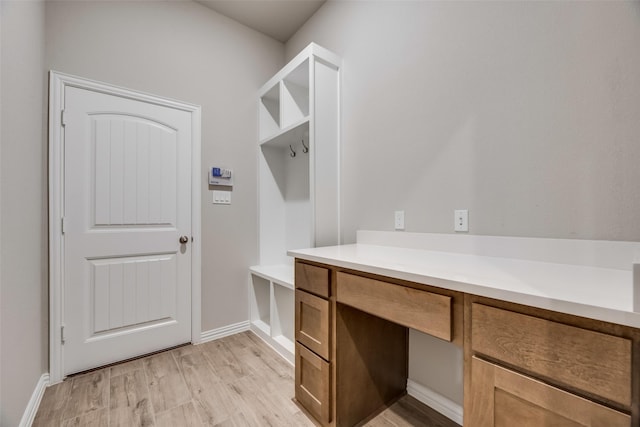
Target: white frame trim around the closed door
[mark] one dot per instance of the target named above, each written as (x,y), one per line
(57,84)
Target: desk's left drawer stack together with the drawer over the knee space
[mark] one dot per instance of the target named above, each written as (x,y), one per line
(355,328)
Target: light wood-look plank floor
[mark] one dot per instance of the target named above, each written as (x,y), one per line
(233,381)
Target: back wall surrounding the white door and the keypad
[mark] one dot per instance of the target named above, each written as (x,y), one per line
(185,51)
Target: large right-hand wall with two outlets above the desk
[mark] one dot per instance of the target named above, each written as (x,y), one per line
(526,113)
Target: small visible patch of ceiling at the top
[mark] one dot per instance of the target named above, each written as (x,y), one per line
(279,19)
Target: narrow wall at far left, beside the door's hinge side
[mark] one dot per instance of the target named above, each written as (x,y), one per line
(23,246)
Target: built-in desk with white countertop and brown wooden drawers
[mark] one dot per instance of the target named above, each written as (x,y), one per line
(546,344)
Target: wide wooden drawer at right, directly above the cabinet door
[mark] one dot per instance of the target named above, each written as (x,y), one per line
(590,361)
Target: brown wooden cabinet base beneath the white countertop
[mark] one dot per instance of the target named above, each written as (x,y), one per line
(524,366)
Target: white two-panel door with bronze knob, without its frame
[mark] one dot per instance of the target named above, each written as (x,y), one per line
(127,207)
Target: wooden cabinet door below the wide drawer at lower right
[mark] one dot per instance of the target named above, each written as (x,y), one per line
(504,398)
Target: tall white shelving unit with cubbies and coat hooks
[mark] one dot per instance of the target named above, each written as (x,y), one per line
(298,193)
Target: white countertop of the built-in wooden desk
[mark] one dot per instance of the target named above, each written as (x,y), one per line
(593,292)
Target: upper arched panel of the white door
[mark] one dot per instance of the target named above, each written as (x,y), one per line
(134,178)
